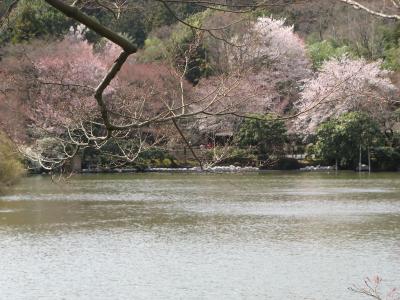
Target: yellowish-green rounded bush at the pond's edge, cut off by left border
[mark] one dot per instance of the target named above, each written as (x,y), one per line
(11,169)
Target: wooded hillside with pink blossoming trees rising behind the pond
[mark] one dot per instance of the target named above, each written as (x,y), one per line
(222,78)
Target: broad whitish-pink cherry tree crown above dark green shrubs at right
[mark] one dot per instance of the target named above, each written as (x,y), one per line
(344,84)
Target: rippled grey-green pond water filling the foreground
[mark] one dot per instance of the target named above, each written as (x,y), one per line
(199,236)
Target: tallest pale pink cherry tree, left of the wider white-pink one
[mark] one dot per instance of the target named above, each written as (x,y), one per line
(277,63)
